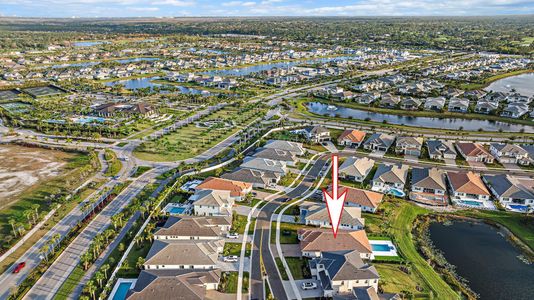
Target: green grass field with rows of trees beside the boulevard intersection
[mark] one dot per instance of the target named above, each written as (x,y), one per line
(192,140)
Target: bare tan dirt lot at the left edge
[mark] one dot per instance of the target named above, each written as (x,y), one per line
(23,167)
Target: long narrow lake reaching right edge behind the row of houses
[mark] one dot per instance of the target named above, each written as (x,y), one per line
(428,122)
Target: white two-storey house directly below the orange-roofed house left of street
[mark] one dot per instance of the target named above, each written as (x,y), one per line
(212,203)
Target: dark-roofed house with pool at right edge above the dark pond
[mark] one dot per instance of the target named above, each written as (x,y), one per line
(510,191)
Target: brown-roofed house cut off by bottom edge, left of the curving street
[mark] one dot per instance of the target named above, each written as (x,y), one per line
(167,284)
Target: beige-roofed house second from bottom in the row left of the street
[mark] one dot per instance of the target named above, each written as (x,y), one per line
(182,254)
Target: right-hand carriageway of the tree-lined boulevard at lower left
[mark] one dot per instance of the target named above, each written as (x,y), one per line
(58,272)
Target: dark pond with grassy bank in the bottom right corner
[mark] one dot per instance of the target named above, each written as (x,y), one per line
(486,259)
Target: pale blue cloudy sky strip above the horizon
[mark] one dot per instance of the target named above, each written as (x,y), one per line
(177,8)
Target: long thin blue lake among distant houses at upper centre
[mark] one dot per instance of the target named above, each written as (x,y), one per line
(264,67)
